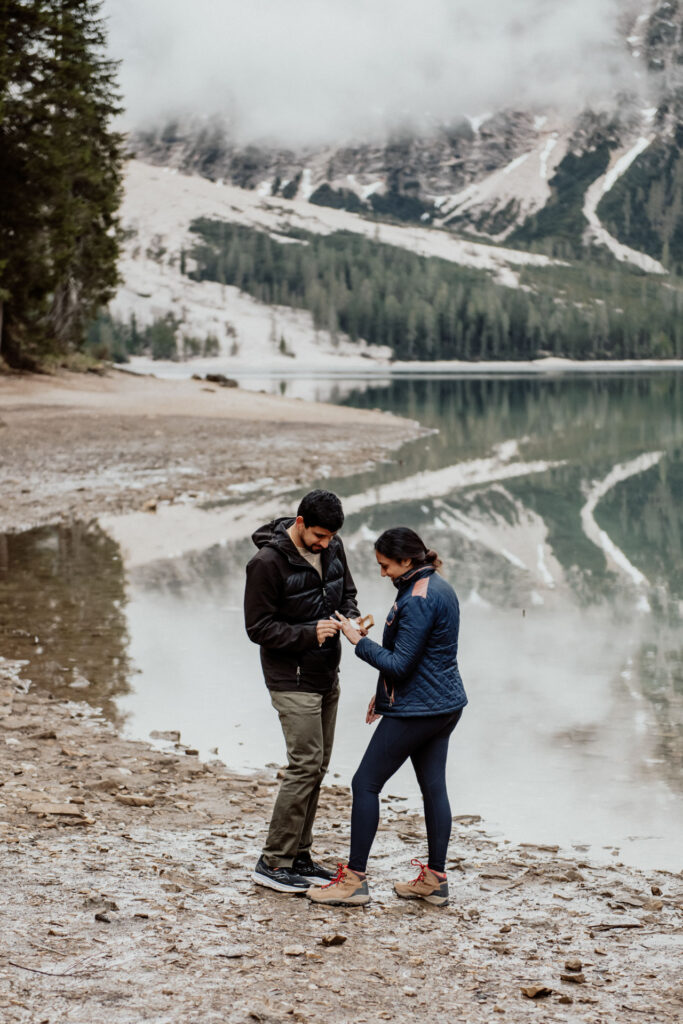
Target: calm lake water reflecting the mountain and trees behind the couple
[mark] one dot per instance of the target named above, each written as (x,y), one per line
(558,507)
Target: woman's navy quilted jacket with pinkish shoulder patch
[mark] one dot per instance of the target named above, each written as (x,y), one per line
(418,660)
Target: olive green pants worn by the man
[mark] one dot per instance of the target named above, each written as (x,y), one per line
(309,724)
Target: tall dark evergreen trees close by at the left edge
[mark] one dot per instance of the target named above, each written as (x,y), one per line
(61,175)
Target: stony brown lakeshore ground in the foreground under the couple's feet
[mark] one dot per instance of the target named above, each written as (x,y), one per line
(126,898)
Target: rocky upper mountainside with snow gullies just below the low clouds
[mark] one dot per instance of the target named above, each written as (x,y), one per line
(489,175)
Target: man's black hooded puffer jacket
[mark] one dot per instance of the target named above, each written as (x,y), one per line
(285,599)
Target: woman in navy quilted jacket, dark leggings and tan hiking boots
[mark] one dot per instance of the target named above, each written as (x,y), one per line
(420,699)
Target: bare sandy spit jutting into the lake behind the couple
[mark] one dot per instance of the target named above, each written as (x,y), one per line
(82,446)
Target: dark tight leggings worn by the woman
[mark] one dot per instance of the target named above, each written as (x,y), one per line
(425,741)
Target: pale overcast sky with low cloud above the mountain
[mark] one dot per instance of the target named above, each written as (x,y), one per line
(308,71)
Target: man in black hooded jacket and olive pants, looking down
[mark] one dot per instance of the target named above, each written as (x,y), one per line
(295,582)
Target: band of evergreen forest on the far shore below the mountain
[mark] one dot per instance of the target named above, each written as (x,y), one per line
(429,309)
